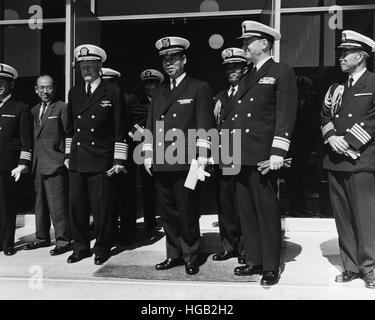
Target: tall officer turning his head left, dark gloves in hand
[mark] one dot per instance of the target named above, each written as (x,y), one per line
(265,111)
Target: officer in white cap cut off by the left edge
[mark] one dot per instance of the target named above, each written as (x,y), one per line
(15,154)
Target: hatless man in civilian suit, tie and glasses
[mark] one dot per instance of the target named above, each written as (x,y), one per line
(51,183)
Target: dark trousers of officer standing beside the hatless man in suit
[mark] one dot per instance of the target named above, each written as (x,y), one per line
(91,193)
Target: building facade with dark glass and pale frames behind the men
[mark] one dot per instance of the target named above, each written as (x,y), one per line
(38,36)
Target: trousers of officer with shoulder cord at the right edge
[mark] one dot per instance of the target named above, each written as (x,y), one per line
(353,204)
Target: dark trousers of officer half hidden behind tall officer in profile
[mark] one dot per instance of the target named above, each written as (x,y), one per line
(229,220)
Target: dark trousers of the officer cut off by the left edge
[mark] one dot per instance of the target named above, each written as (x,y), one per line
(8,212)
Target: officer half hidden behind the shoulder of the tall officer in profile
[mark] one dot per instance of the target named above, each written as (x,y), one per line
(235,64)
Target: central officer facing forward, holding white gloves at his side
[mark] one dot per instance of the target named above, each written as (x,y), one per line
(184,103)
